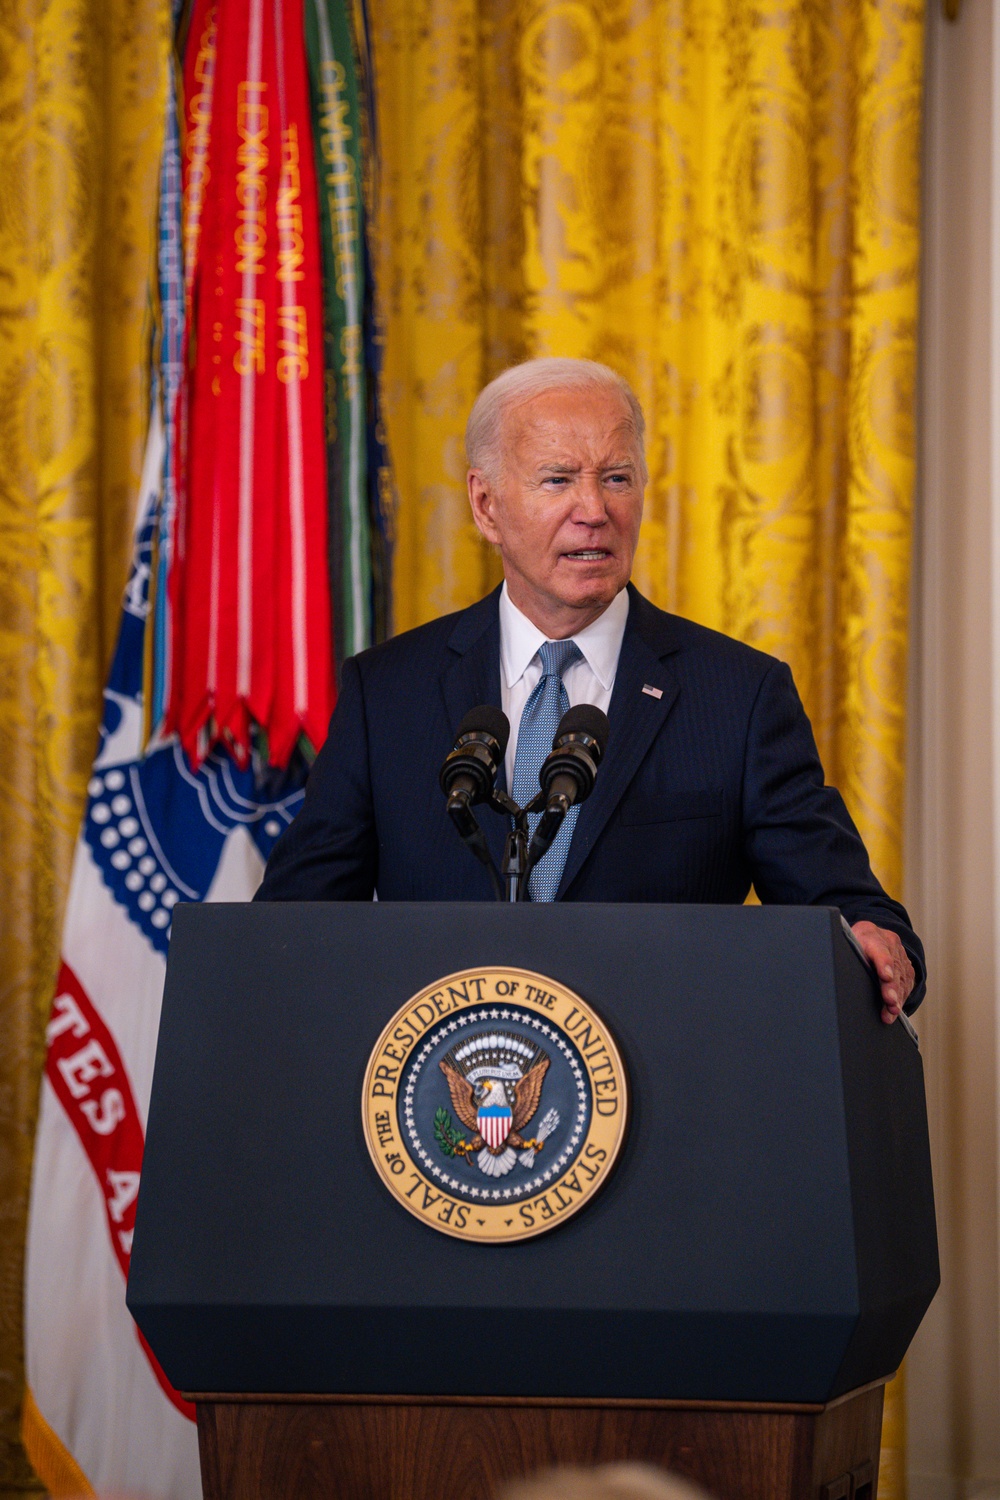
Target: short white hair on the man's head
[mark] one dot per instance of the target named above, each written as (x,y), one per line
(485,428)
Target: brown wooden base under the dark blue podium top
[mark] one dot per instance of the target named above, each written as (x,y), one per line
(449,1448)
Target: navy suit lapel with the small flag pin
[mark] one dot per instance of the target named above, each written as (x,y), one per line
(635,721)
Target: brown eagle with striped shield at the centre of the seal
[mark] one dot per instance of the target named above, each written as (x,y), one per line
(496,1082)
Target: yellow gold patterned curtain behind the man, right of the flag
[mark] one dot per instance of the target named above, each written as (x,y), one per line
(722,202)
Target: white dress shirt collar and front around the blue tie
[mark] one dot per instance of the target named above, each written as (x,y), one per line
(587,682)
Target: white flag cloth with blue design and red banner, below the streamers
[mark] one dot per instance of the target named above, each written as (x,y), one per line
(100,1412)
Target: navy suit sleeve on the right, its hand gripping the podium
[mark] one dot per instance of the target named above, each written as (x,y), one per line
(801,842)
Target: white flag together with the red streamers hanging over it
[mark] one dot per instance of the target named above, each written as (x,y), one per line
(221,680)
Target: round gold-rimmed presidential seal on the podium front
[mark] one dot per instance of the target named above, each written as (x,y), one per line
(496,1105)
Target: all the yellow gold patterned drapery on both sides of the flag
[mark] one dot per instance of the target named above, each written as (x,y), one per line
(719,199)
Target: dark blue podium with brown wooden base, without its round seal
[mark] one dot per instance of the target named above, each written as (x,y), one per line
(729,1306)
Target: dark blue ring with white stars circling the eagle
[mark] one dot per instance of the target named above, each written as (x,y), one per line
(542,1180)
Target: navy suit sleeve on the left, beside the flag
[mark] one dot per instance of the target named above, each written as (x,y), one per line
(331,851)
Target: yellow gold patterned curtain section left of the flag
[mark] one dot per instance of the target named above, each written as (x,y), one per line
(82,91)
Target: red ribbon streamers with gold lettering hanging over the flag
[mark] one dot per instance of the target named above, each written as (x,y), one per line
(253,638)
